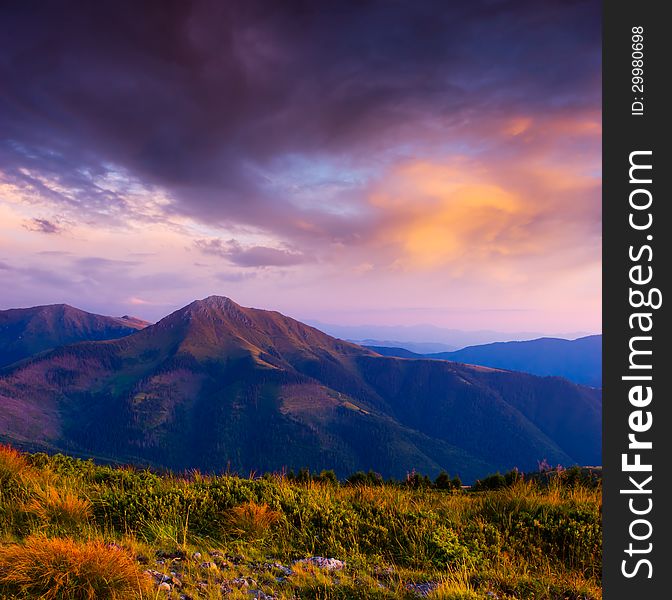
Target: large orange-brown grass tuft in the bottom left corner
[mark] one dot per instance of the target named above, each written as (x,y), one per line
(63,569)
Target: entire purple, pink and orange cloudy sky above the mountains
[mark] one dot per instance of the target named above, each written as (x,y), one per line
(387,162)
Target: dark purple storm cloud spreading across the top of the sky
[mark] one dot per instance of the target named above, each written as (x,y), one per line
(206,98)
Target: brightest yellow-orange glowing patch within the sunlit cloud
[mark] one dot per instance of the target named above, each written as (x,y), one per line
(439,213)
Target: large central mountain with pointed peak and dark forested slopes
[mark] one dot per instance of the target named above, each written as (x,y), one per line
(215,384)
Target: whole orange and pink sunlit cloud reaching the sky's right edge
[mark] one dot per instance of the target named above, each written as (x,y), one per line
(498,214)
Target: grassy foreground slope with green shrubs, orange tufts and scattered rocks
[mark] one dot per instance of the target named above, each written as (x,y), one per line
(73,529)
